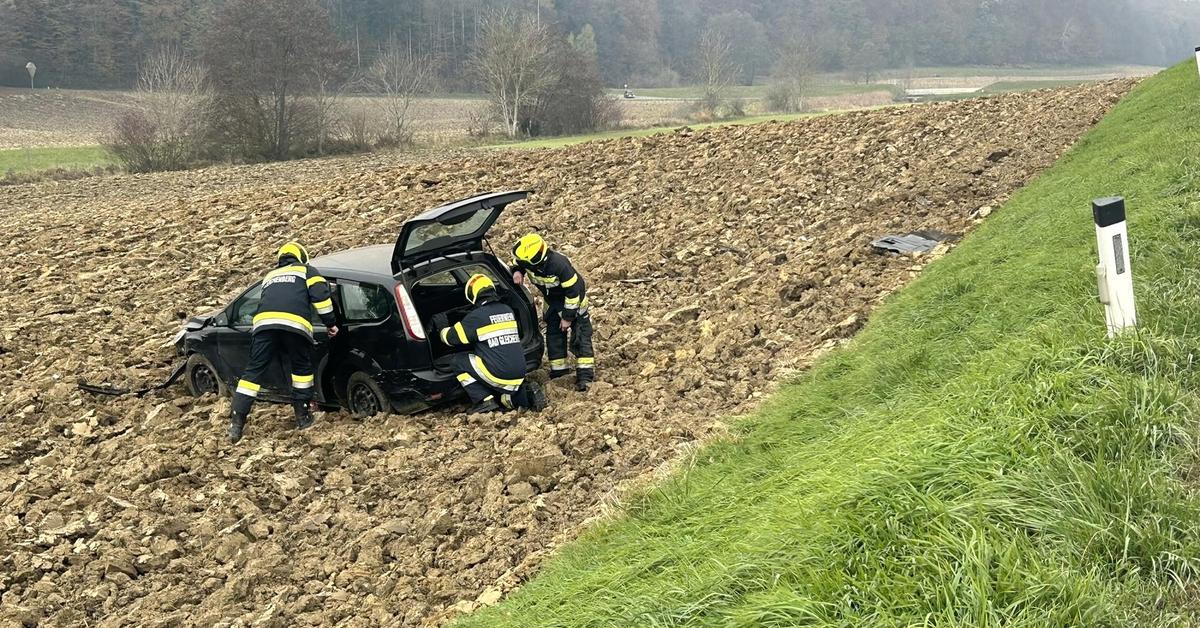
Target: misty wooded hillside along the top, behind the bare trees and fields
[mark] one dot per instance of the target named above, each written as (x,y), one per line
(91,44)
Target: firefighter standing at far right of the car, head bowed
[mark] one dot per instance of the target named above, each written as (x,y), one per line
(567,307)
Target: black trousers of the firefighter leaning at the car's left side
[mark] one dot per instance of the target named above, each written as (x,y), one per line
(266,348)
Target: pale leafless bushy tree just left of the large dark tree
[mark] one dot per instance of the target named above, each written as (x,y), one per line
(166,130)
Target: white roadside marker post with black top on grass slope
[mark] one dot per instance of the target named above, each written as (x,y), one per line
(1114,274)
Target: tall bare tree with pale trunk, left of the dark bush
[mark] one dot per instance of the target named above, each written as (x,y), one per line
(514,61)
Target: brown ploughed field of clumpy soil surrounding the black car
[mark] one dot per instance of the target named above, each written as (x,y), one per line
(721,261)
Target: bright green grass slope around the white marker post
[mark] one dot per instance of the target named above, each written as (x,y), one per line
(980,456)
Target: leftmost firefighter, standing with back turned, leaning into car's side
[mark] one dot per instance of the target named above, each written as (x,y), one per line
(283,328)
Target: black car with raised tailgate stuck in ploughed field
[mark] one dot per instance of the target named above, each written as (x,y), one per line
(387,357)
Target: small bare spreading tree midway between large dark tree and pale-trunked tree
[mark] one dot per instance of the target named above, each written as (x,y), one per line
(400,76)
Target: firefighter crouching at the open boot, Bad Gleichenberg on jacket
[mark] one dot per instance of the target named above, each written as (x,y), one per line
(494,369)
